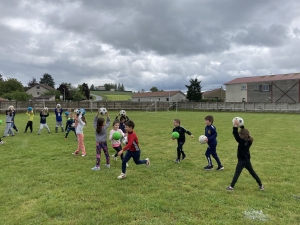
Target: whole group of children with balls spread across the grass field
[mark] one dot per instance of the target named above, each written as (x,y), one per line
(76,122)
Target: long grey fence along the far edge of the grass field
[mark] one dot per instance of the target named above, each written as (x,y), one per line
(158,106)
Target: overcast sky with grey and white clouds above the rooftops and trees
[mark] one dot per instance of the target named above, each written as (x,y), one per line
(145,43)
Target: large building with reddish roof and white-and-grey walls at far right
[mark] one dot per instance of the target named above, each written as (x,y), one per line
(280,88)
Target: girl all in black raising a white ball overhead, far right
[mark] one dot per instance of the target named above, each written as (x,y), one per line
(243,154)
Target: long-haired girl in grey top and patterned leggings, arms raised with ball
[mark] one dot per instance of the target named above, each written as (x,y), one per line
(100,132)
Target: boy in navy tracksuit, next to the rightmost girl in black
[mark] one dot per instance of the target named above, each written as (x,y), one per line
(211,140)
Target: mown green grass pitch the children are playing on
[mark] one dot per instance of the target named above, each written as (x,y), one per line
(43,183)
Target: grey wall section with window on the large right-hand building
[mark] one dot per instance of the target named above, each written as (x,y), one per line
(283,91)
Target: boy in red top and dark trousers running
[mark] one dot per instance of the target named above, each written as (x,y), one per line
(132,148)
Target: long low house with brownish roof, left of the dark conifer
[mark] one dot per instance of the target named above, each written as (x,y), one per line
(164,96)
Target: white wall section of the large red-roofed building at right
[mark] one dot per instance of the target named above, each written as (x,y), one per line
(236,92)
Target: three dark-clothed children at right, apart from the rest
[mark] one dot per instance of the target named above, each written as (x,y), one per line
(244,143)
